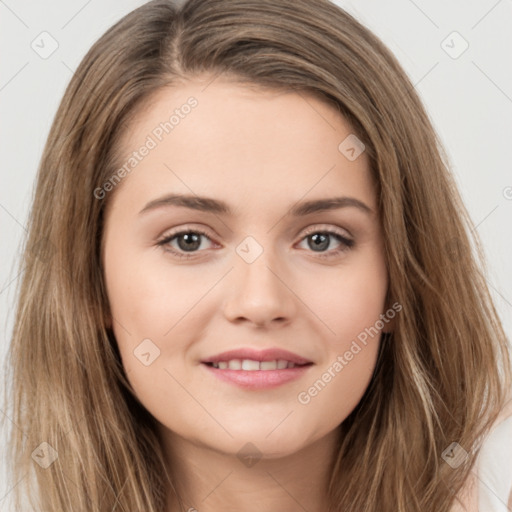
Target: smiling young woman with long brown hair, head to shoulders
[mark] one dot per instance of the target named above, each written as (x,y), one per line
(248,280)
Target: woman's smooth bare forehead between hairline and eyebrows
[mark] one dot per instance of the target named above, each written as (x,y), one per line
(247,145)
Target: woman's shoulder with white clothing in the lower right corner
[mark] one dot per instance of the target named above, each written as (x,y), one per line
(489,486)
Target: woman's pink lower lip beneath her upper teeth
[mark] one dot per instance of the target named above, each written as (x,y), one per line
(259,379)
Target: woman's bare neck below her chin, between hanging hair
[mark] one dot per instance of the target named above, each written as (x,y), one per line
(208,480)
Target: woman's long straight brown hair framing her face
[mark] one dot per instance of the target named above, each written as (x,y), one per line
(442,376)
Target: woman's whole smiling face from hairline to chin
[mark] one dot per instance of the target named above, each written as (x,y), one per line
(289,286)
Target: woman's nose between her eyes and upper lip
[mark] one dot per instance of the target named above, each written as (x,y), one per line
(259,294)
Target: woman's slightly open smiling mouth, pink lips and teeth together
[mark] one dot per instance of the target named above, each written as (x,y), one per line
(257,369)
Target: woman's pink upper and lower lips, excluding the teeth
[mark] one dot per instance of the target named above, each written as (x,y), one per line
(258,379)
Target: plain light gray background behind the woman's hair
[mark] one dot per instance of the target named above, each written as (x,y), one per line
(469,99)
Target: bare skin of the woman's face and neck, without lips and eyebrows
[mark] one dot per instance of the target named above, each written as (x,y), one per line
(261,152)
